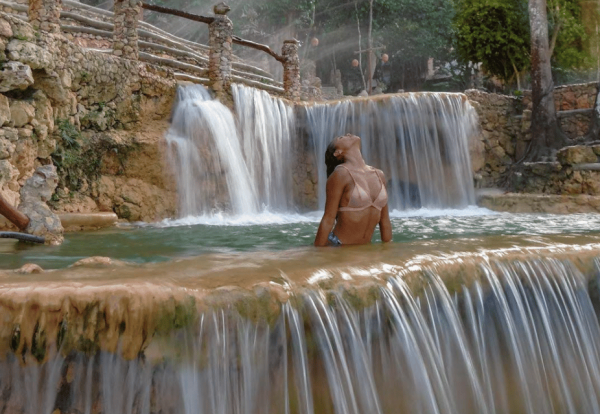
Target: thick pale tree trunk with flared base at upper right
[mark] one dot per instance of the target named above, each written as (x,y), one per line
(546,135)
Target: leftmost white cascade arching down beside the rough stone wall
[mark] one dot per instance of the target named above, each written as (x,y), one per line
(205,151)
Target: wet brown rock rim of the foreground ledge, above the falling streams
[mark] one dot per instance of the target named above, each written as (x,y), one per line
(134,310)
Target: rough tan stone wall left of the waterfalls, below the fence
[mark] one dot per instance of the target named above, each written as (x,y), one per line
(62,104)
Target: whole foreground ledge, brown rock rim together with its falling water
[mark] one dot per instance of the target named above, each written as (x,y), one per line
(384,329)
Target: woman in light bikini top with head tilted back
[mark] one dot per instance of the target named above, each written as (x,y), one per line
(356,197)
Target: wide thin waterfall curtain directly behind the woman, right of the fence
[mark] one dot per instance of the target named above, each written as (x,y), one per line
(419,140)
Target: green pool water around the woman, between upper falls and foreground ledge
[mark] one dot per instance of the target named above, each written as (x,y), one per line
(145,243)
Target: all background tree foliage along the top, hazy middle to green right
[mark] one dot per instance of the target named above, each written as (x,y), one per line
(493,32)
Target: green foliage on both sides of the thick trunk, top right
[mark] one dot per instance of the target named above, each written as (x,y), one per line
(496,33)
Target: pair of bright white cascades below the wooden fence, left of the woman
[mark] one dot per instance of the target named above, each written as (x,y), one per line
(224,165)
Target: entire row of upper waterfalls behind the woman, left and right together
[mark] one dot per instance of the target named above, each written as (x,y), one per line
(244,164)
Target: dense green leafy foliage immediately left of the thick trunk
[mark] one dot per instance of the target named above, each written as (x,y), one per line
(495,33)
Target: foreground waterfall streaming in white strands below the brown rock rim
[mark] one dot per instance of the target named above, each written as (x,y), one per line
(520,336)
